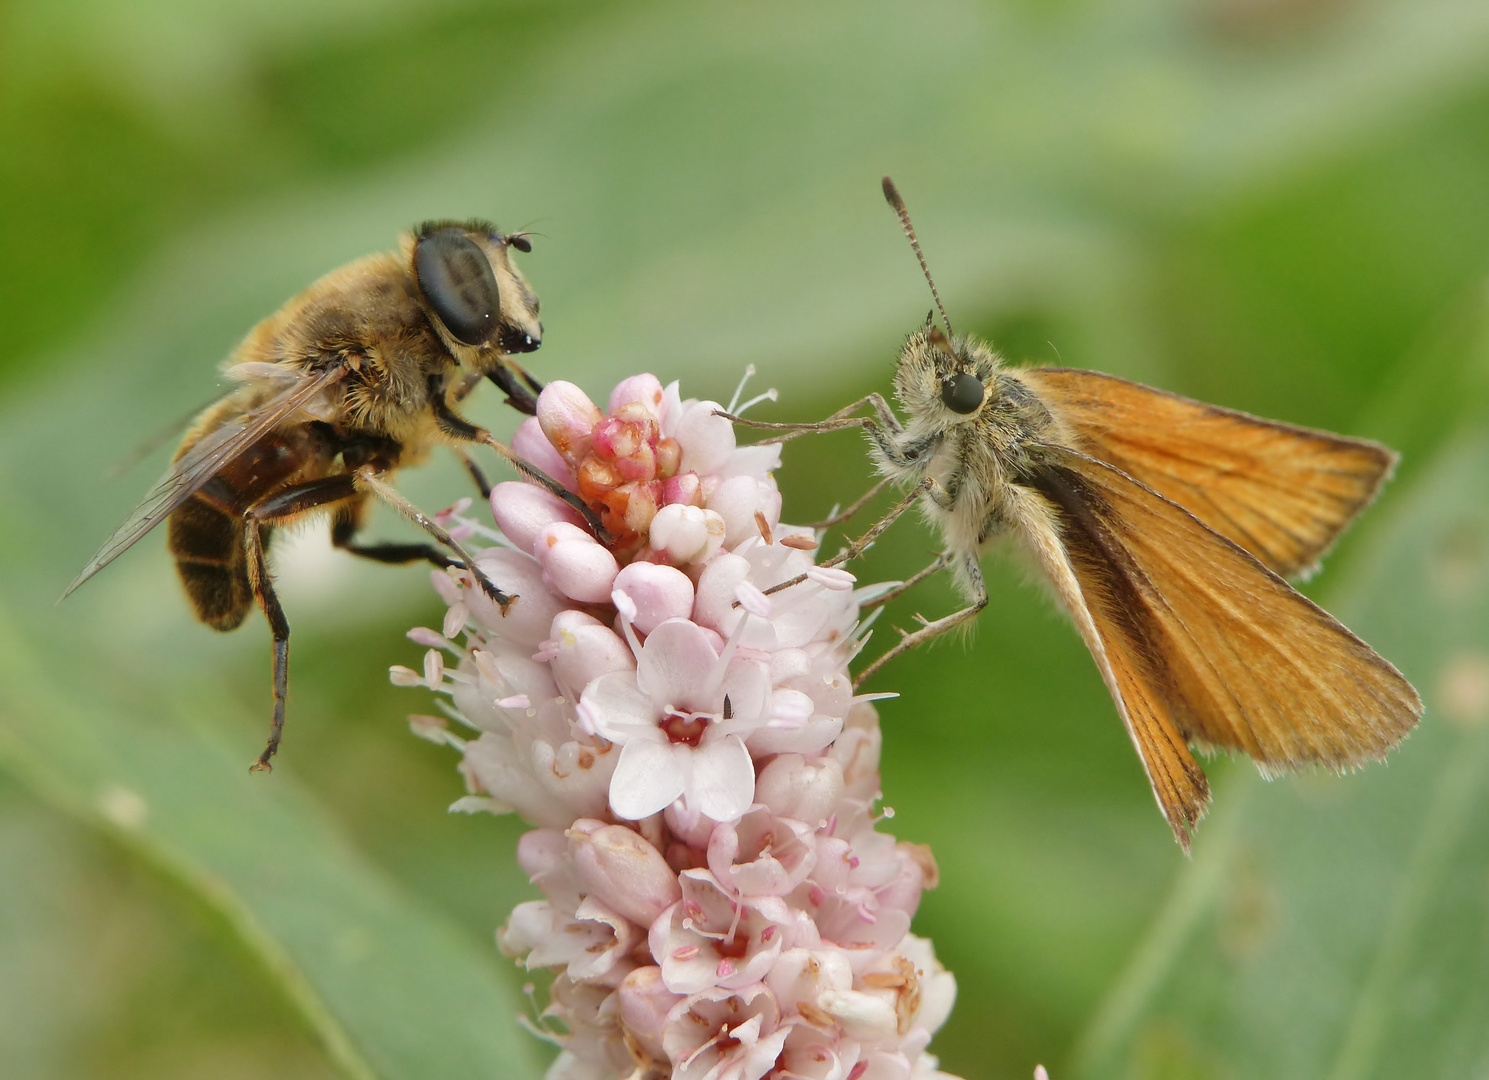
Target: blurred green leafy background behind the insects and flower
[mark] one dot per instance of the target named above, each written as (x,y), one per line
(1281,206)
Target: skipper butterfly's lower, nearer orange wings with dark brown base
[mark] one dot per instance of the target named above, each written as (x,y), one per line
(1202,644)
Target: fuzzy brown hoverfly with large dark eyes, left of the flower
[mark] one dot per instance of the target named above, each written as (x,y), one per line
(346,384)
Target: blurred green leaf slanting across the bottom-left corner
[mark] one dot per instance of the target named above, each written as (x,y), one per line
(391,990)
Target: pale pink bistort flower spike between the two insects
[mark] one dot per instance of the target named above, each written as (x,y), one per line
(718,900)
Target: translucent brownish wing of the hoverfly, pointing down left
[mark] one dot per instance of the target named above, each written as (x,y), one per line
(203,463)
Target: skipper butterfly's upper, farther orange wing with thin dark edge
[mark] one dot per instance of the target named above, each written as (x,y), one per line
(1283,494)
